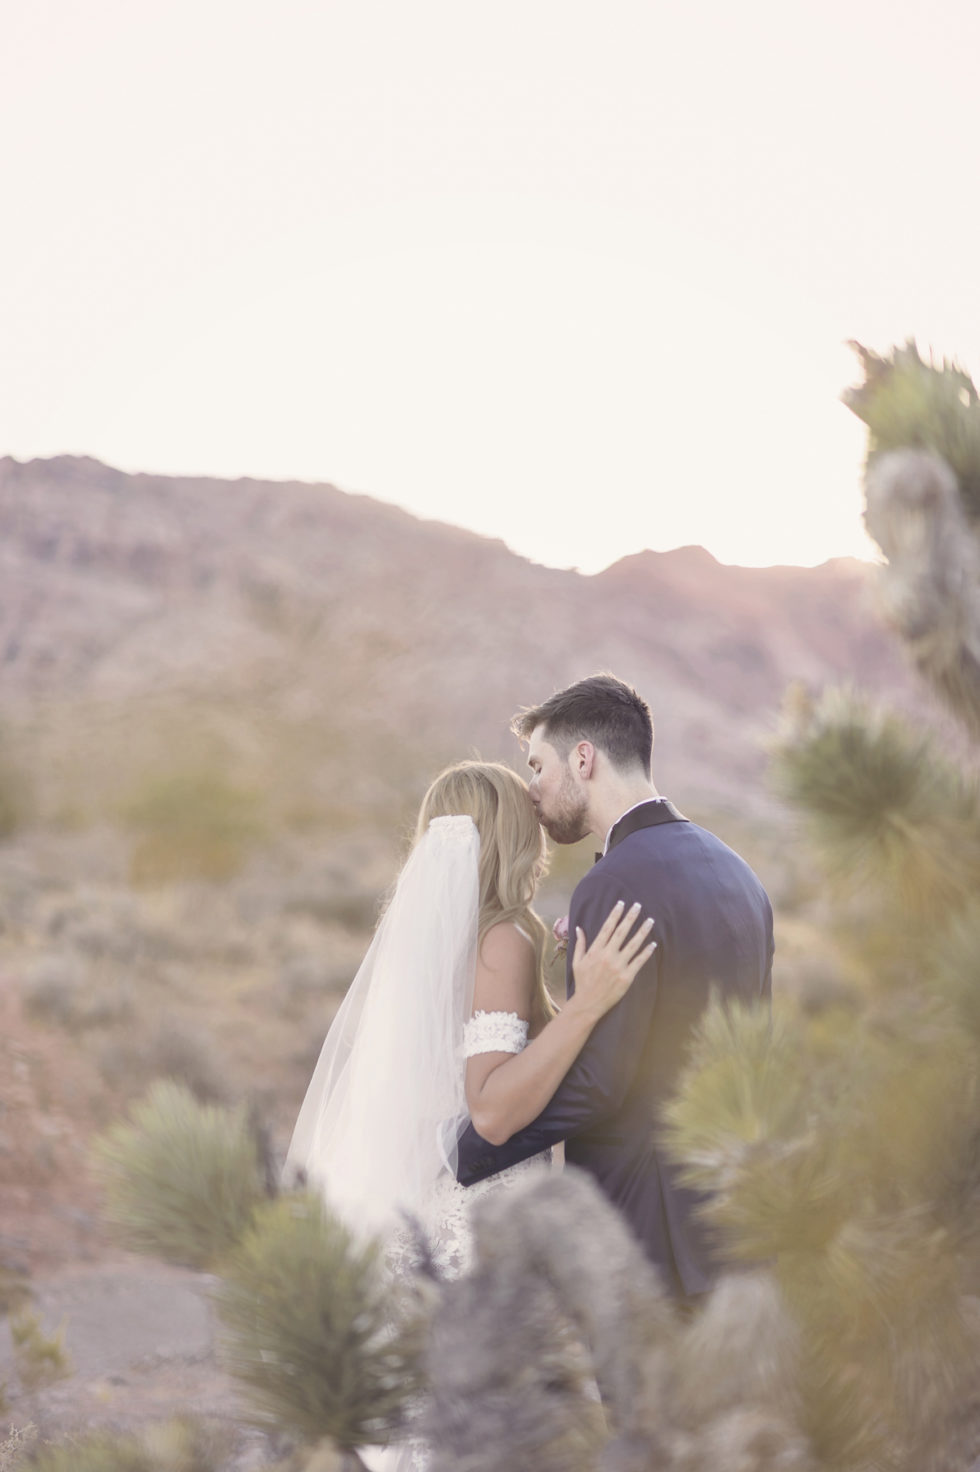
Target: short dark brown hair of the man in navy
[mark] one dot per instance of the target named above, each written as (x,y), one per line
(603,710)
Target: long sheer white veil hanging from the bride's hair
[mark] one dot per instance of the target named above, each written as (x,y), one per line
(386,1105)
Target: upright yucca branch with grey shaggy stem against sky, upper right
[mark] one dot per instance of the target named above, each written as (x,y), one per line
(923,510)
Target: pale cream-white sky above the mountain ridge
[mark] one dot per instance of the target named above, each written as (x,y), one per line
(576,276)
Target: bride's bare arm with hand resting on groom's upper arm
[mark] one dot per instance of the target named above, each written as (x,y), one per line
(505,1091)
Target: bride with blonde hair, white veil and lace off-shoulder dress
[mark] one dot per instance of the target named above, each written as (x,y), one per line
(450,1019)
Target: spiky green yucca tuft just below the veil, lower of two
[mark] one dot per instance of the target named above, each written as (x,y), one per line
(308,1327)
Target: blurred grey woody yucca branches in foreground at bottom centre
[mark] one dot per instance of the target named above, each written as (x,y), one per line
(563,1302)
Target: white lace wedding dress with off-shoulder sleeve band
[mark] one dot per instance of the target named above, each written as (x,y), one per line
(445,1215)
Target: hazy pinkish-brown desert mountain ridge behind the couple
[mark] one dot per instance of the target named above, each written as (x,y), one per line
(400,643)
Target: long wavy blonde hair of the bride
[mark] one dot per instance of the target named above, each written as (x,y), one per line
(513,850)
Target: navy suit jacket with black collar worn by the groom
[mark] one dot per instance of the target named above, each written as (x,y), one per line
(714,933)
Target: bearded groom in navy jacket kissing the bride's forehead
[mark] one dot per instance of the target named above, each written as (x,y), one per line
(589,751)
